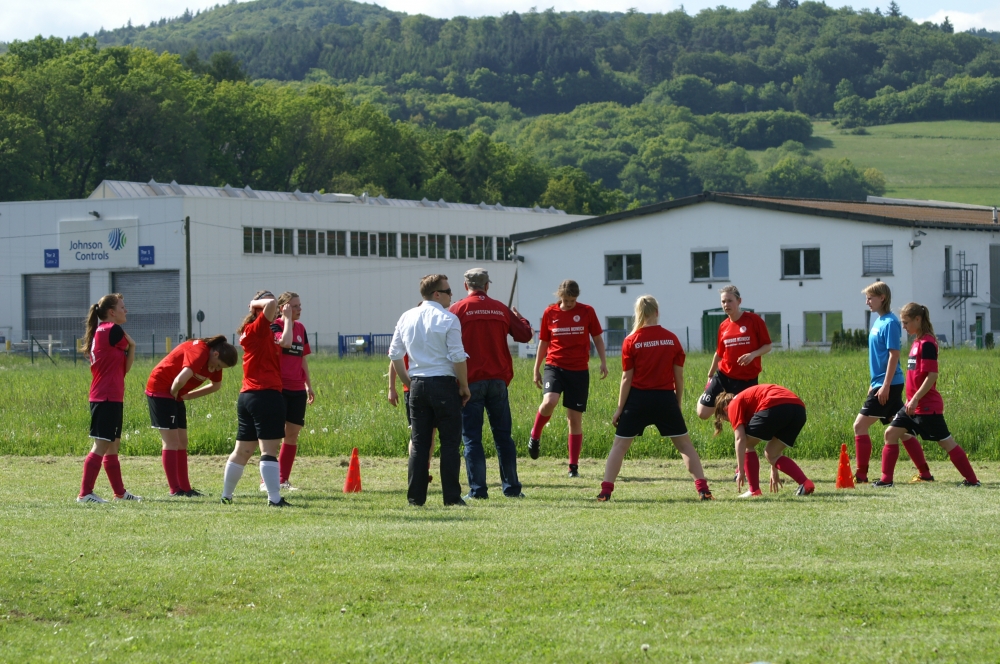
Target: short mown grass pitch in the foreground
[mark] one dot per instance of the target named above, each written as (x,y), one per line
(902,575)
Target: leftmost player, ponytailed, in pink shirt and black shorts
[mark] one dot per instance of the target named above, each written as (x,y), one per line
(111,353)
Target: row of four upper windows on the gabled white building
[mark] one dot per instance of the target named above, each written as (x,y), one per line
(796,263)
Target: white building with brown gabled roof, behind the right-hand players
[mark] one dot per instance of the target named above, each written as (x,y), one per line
(801,264)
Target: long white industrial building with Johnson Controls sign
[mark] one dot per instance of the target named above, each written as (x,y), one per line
(355,261)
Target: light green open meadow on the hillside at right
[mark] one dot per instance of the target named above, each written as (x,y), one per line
(955,160)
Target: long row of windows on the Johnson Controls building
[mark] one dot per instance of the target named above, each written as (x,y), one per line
(301,242)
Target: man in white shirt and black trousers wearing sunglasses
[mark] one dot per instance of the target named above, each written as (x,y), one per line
(439,386)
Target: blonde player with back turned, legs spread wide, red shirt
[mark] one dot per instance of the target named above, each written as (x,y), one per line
(650,394)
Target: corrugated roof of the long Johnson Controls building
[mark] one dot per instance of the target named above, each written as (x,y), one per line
(152,189)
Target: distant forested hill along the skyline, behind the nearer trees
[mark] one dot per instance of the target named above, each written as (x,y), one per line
(793,56)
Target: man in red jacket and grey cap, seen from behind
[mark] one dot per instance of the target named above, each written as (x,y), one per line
(485,325)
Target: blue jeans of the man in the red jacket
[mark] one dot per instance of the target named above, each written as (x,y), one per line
(490,395)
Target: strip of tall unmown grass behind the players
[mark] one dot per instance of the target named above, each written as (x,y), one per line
(43,408)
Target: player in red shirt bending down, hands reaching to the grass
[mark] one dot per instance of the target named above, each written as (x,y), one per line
(764,412)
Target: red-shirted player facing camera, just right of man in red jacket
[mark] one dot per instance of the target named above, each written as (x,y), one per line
(564,346)
